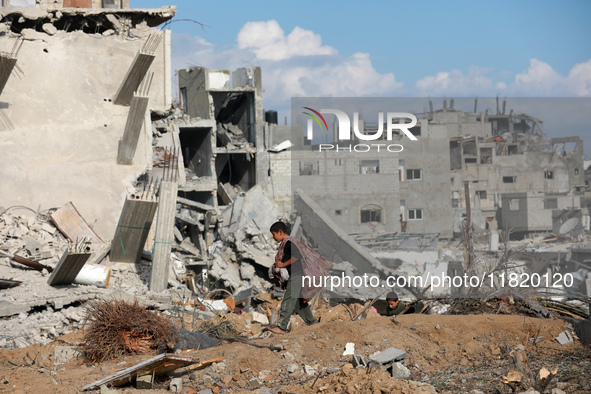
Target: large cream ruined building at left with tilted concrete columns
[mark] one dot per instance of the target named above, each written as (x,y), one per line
(79,83)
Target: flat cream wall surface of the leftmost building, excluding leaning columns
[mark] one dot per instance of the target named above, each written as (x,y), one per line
(63,146)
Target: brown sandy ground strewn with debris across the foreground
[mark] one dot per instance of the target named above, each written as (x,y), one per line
(452,354)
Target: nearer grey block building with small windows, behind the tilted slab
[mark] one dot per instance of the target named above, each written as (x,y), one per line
(368,192)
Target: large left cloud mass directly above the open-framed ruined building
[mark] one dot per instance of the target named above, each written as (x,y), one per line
(293,65)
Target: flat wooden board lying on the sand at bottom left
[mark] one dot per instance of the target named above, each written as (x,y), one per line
(159,365)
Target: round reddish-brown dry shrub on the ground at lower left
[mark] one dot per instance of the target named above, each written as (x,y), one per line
(115,328)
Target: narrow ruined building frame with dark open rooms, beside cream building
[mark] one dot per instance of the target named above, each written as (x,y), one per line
(223,142)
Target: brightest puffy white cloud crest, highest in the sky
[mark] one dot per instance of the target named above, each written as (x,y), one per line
(267,41)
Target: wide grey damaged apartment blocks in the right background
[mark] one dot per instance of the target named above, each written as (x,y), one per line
(459,156)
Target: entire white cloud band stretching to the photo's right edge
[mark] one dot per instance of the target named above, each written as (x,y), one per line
(298,64)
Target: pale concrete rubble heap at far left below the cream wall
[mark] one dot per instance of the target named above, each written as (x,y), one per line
(34,311)
